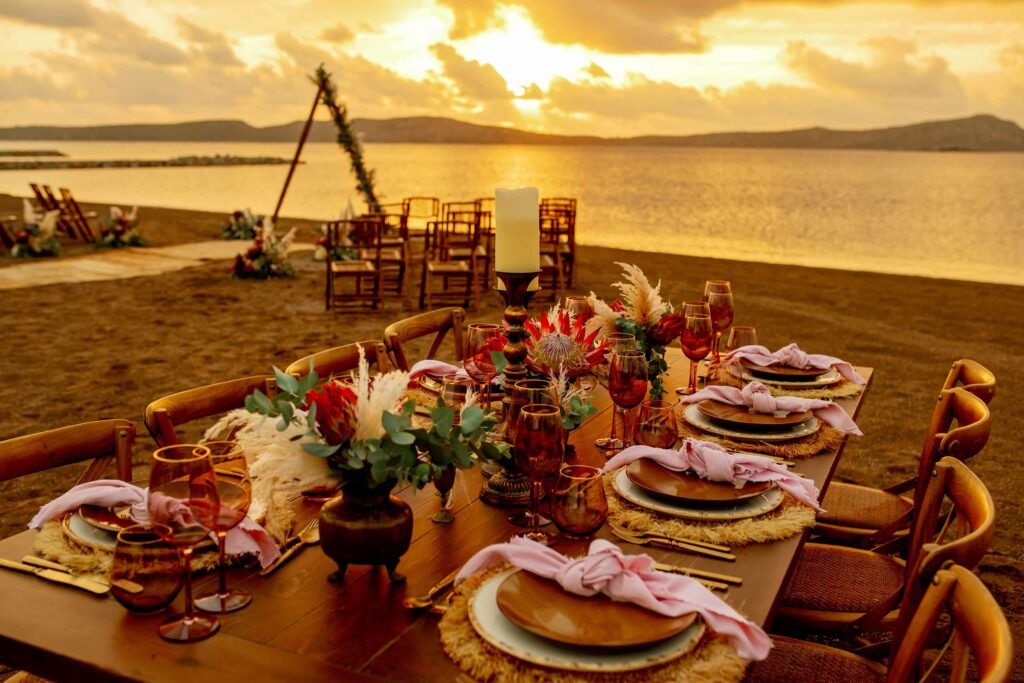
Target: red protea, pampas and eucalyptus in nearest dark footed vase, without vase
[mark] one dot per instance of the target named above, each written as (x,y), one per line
(365,431)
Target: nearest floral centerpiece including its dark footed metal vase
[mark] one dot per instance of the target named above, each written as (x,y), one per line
(366,434)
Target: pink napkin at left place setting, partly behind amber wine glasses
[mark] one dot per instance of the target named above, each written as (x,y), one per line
(246,539)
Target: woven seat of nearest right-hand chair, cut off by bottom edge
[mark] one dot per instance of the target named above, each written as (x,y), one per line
(793,660)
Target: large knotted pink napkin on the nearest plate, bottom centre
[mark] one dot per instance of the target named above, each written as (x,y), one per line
(627,579)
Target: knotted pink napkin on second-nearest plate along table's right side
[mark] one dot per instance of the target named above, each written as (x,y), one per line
(716,464)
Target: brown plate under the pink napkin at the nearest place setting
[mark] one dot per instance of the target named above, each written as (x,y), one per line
(545,609)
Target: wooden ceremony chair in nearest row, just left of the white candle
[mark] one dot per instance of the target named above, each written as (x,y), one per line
(450,259)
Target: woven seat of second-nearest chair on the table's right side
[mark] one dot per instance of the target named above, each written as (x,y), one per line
(835,579)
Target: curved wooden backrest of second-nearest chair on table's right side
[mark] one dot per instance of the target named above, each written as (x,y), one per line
(963,538)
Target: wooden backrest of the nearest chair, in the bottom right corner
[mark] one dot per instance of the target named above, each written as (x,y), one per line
(978,627)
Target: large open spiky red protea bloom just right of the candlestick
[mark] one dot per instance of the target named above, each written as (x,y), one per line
(561,345)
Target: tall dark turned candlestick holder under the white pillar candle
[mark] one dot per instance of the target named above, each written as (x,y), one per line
(510,487)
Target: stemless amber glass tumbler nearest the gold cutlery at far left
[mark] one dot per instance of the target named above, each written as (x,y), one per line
(146,571)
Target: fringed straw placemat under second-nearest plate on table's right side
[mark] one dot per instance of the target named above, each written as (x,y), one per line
(788,520)
